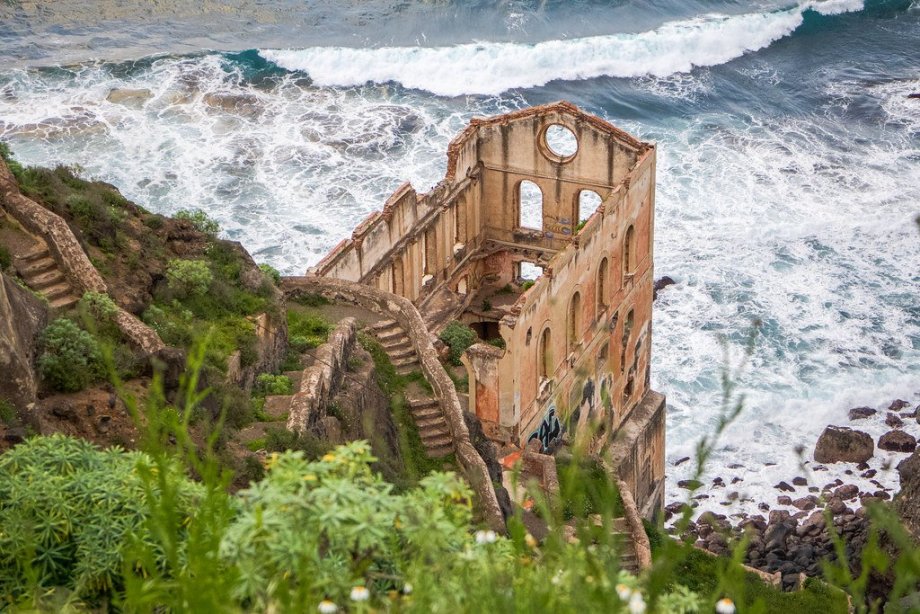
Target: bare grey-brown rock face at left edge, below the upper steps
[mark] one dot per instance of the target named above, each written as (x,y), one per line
(22,317)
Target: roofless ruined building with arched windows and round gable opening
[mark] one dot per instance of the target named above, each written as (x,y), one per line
(540,237)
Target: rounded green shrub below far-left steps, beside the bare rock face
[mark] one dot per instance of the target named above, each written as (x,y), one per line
(71,358)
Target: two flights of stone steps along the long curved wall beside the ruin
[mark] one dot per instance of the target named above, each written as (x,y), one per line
(426,411)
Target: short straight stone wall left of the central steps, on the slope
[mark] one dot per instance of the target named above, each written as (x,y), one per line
(321,381)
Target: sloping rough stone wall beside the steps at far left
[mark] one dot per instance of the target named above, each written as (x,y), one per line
(69,255)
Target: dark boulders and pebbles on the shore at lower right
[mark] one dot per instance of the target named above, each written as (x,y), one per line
(793,542)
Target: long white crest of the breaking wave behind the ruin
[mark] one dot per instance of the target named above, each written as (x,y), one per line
(493,68)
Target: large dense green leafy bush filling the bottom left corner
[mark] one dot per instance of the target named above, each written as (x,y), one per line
(70,510)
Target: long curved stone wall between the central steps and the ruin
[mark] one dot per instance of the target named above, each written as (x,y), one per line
(405,313)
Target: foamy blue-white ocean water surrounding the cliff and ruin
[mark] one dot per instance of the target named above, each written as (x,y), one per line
(788,169)
